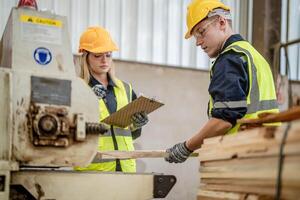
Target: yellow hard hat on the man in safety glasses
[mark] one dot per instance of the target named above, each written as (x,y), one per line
(198,10)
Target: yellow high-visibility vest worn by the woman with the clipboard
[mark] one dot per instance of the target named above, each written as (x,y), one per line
(123,137)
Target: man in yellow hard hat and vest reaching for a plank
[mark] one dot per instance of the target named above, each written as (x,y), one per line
(241,82)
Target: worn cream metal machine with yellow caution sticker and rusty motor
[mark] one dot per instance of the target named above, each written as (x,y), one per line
(49,120)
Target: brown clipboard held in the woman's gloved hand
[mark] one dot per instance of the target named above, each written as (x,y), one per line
(121,118)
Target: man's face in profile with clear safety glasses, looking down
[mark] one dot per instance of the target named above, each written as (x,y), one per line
(209,35)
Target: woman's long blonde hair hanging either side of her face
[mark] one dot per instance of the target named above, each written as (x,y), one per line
(85,73)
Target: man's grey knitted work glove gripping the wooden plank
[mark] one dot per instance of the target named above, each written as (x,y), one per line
(178,153)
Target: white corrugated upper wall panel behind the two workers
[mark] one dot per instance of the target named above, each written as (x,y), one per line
(150,31)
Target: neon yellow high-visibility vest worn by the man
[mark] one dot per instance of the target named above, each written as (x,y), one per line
(261,96)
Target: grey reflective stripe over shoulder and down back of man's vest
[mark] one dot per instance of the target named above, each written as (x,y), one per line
(255,105)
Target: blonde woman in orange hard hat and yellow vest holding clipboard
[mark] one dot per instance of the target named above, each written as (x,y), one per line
(96,46)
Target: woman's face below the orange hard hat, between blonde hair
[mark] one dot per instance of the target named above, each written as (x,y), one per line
(99,63)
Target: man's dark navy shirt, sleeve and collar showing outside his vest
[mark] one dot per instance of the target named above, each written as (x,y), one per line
(229,82)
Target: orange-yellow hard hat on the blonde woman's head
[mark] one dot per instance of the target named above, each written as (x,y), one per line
(96,40)
